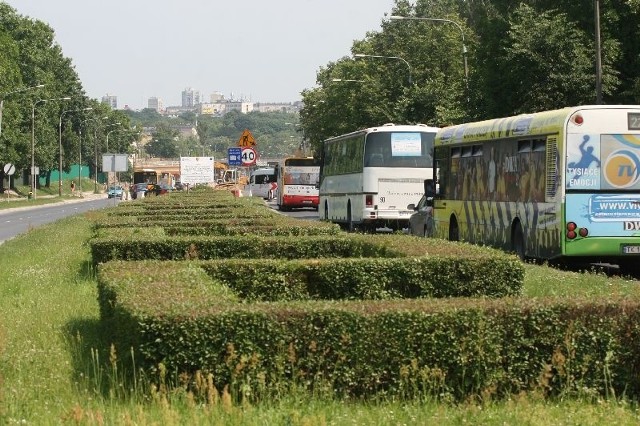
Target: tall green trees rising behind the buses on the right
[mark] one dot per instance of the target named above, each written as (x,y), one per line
(523,56)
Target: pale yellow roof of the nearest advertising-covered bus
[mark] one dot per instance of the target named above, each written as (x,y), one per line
(538,123)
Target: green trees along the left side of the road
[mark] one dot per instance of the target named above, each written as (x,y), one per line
(41,92)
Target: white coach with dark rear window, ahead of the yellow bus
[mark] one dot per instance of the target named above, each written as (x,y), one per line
(368,177)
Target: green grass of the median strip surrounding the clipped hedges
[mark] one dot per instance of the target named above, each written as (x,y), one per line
(55,368)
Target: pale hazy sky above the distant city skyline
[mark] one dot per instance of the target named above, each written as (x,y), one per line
(256,50)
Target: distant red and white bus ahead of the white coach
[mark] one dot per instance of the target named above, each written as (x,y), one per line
(298,183)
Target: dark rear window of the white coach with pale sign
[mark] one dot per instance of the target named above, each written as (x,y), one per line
(399,149)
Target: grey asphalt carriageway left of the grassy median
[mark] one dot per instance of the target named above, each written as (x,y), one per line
(17,221)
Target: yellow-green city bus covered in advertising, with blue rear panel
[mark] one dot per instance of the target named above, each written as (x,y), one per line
(554,185)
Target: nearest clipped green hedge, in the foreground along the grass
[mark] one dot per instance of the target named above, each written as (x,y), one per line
(176,315)
